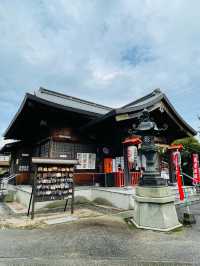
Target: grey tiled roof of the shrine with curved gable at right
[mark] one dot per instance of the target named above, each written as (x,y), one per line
(99,113)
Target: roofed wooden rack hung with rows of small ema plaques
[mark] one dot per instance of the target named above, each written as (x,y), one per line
(52,180)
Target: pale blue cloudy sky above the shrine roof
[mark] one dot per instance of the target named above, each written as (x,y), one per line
(107,51)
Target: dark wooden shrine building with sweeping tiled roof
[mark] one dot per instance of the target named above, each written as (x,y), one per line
(52,125)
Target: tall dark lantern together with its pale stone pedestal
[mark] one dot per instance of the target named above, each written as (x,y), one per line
(154,202)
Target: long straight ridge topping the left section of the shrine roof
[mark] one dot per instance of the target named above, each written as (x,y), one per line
(62,95)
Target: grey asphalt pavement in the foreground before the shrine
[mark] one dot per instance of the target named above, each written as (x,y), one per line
(100,241)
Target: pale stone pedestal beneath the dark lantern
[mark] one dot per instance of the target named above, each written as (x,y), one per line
(155,209)
